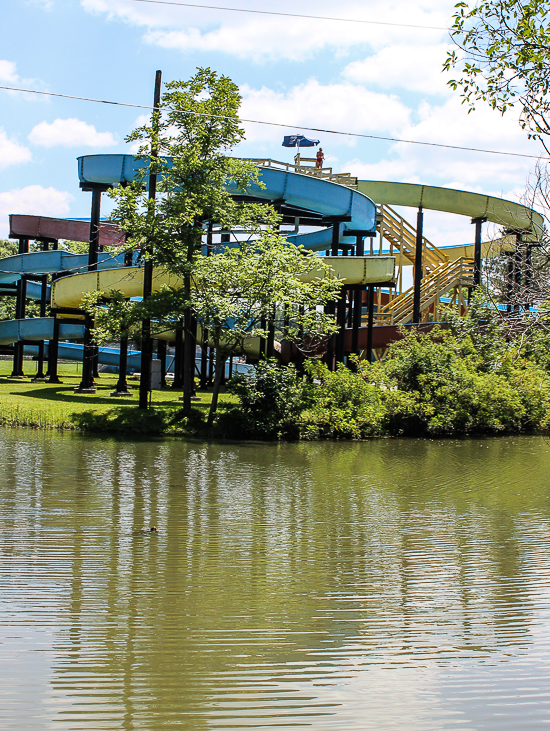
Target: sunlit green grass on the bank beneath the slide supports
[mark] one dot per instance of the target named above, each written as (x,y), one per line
(55,406)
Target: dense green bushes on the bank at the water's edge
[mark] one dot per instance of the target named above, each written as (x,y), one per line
(436,384)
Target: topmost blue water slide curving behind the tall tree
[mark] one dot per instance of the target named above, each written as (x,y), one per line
(300,191)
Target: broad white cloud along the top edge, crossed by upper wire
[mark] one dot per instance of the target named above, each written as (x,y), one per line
(274,37)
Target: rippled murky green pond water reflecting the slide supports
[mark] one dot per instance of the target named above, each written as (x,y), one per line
(383,585)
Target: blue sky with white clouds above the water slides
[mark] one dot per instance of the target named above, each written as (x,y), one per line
(360,78)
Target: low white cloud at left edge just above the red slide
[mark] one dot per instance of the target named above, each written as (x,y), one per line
(35,200)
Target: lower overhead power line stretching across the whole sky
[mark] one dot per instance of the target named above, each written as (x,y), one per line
(289,126)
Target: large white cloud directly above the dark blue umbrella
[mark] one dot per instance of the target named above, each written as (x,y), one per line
(343,106)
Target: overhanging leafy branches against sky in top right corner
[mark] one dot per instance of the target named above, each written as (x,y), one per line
(505,59)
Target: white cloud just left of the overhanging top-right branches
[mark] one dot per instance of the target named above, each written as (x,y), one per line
(412,67)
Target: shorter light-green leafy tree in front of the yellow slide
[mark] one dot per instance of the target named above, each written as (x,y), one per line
(235,296)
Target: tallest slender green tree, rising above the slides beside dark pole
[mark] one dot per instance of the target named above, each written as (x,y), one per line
(195,127)
